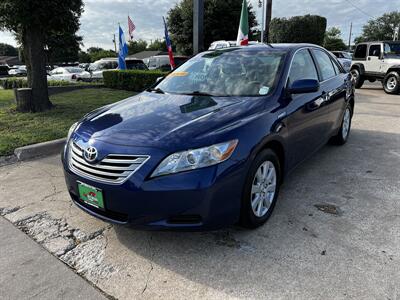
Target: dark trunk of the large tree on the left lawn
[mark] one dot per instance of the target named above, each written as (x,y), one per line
(36,65)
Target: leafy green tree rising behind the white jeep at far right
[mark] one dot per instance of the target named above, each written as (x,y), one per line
(380,29)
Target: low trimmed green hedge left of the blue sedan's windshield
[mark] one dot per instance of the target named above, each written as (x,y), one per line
(131,80)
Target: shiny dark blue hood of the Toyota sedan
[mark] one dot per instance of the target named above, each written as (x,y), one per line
(165,120)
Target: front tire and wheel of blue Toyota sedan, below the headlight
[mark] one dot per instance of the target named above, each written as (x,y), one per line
(268,161)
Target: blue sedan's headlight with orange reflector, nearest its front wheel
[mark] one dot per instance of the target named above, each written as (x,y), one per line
(196,158)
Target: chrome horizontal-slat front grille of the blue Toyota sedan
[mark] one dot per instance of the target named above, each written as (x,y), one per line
(114,168)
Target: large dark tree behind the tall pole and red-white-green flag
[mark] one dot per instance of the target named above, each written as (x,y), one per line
(221,22)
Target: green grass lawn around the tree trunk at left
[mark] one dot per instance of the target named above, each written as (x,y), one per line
(21,129)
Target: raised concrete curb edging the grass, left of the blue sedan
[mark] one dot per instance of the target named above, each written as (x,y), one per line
(41,149)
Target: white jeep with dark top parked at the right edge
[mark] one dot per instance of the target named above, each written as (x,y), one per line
(377,61)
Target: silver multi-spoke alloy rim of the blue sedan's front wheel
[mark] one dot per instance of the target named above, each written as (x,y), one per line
(263,189)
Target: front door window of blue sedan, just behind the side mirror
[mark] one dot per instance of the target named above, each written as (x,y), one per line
(303,67)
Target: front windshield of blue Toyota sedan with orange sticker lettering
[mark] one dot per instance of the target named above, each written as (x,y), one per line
(226,73)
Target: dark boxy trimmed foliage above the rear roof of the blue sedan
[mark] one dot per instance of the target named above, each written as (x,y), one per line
(298,29)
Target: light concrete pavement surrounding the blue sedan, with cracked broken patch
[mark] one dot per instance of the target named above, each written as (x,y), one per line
(335,232)
